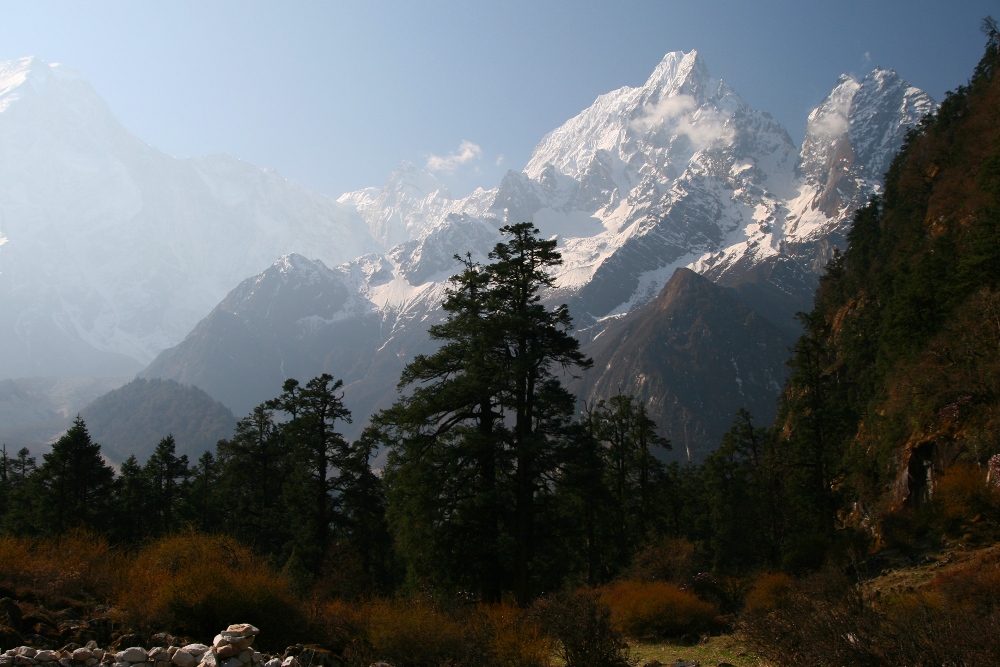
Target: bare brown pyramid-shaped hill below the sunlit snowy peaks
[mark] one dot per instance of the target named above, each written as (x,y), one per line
(694,356)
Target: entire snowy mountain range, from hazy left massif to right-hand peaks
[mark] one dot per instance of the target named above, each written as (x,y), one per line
(112,251)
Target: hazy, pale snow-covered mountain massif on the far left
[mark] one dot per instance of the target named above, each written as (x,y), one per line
(111,251)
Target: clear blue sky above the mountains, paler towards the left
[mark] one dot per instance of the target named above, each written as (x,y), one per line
(335,94)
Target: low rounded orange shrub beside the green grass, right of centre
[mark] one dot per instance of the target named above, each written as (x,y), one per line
(657,610)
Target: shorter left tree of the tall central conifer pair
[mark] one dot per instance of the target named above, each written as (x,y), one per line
(449,428)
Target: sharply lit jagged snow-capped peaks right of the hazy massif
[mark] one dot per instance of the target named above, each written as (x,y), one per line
(679,172)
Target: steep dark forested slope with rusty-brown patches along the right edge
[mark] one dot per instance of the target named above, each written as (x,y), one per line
(898,375)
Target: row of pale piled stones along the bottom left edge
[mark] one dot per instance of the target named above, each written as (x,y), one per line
(233,647)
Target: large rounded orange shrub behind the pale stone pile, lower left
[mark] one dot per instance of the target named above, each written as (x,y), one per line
(195,584)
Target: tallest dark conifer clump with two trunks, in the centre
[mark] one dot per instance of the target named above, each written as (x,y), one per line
(483,431)
